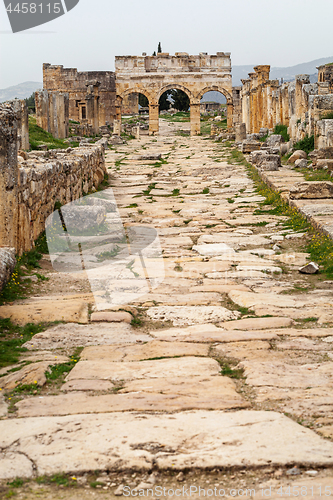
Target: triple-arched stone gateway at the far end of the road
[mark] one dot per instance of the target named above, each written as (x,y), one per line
(154,75)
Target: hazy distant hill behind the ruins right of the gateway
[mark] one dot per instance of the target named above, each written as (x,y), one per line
(288,73)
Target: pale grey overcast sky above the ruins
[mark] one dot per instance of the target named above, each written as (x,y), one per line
(279,33)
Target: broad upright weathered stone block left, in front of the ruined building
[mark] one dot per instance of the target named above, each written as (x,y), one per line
(52,112)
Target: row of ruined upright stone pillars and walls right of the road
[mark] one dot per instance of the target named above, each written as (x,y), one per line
(300,105)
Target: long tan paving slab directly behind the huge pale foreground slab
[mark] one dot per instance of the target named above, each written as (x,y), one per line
(174,394)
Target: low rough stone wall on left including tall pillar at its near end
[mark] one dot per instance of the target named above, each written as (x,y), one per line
(30,187)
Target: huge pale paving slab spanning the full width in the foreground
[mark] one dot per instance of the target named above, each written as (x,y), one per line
(195,439)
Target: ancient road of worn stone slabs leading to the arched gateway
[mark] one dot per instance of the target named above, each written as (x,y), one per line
(233,331)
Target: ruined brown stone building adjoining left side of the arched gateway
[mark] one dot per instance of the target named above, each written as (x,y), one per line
(73,82)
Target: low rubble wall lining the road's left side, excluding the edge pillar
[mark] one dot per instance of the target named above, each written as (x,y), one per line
(51,176)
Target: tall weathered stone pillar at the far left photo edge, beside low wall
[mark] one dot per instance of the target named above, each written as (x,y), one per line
(8,176)
